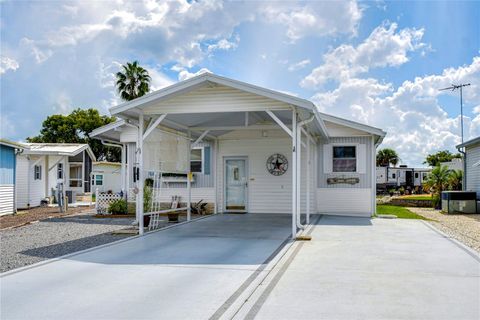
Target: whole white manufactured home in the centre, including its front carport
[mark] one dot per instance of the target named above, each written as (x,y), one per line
(250,149)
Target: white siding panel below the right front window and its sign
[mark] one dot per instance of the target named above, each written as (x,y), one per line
(346,201)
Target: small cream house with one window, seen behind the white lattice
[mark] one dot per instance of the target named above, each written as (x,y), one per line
(106,176)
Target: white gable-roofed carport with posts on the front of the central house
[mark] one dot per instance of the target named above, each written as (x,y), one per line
(208,106)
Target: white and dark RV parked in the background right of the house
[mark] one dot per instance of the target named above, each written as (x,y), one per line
(402,176)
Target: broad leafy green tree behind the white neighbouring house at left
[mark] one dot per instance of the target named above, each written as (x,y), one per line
(76,128)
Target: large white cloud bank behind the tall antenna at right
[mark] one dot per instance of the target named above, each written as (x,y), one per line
(415,119)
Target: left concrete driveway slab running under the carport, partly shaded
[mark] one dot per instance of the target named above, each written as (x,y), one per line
(186,272)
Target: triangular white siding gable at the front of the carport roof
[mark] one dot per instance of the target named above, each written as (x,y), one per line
(215,99)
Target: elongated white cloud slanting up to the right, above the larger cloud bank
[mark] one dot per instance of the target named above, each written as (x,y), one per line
(384,47)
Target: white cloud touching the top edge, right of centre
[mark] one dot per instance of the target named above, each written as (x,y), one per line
(314,19)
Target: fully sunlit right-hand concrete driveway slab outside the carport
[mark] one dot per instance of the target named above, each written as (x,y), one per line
(357,268)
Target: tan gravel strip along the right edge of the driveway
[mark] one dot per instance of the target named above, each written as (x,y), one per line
(463,227)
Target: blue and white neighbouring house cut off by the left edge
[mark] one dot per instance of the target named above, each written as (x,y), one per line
(8,158)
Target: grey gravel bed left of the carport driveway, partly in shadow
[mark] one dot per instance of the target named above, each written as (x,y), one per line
(54,237)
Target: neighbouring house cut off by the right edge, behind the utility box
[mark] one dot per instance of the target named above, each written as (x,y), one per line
(472,165)
